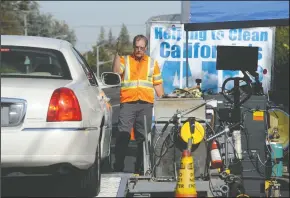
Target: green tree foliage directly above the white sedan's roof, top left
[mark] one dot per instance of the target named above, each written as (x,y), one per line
(38,24)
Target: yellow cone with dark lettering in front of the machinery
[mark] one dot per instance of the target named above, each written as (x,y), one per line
(186,185)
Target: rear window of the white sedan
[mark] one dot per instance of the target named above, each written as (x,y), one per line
(31,62)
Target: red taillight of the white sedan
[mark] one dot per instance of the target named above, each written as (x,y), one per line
(63,106)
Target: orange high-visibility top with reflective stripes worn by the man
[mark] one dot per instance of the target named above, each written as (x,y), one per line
(138,79)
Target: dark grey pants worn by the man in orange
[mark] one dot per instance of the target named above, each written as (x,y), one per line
(132,115)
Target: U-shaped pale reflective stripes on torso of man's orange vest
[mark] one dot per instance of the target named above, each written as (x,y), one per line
(127,83)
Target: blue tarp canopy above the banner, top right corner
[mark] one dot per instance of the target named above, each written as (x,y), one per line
(223,11)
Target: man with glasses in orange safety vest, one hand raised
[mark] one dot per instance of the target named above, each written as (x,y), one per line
(140,77)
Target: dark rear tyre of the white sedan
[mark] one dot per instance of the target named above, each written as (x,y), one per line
(89,181)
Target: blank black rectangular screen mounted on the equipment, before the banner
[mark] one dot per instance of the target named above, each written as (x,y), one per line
(237,58)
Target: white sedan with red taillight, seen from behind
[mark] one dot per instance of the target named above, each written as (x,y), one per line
(55,118)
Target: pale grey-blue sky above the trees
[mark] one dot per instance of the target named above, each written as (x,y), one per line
(86,17)
